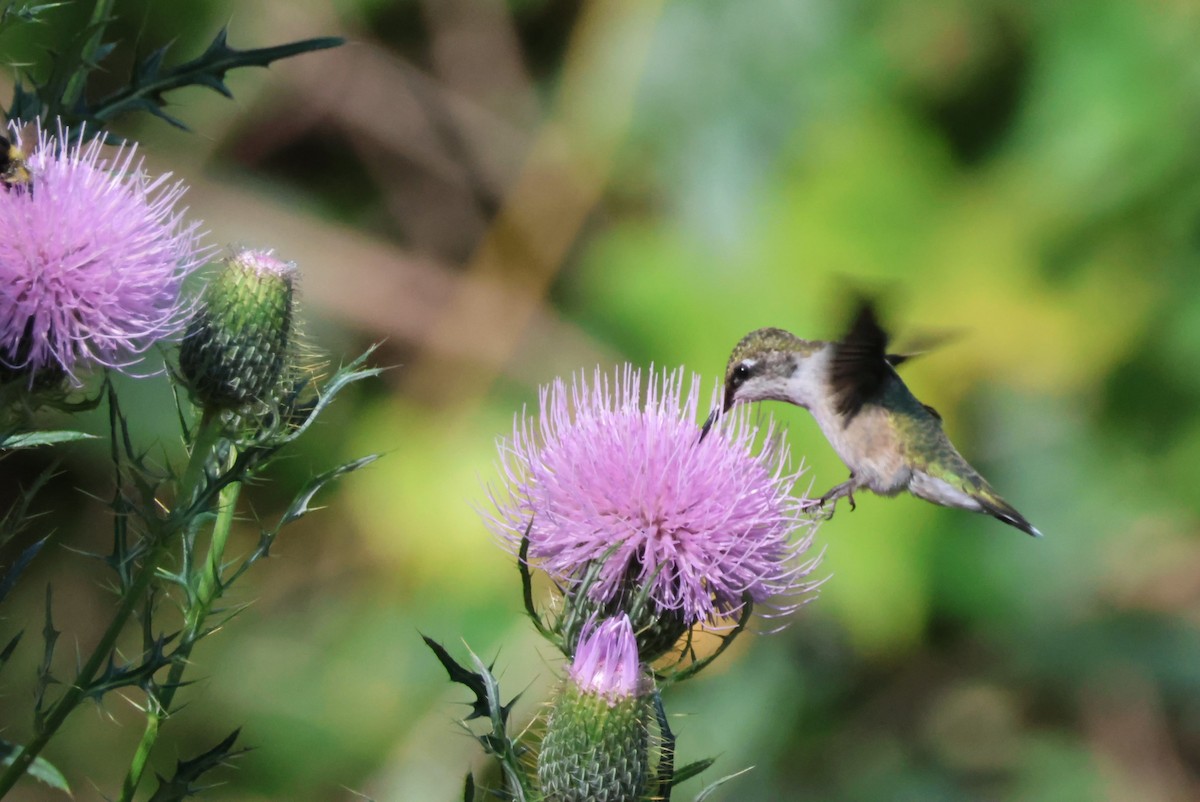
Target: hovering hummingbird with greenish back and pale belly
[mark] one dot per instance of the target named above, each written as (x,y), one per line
(890,441)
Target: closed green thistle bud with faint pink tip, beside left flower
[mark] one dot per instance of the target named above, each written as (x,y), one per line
(239,343)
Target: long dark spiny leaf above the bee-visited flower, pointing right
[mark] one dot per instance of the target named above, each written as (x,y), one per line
(151,81)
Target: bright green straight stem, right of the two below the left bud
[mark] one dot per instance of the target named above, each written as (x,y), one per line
(208,590)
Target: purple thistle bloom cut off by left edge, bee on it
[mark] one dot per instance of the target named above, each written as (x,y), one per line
(93,258)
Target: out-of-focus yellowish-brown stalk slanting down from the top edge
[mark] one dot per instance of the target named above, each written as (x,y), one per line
(542,217)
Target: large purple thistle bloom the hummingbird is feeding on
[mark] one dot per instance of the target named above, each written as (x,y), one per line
(604,480)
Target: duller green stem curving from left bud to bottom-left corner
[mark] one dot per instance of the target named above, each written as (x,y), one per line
(163,536)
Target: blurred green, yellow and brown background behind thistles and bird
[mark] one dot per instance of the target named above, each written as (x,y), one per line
(506,191)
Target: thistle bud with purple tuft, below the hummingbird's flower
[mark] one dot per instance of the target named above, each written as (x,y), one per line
(597,744)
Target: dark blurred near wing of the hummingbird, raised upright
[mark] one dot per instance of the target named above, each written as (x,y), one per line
(861,368)
